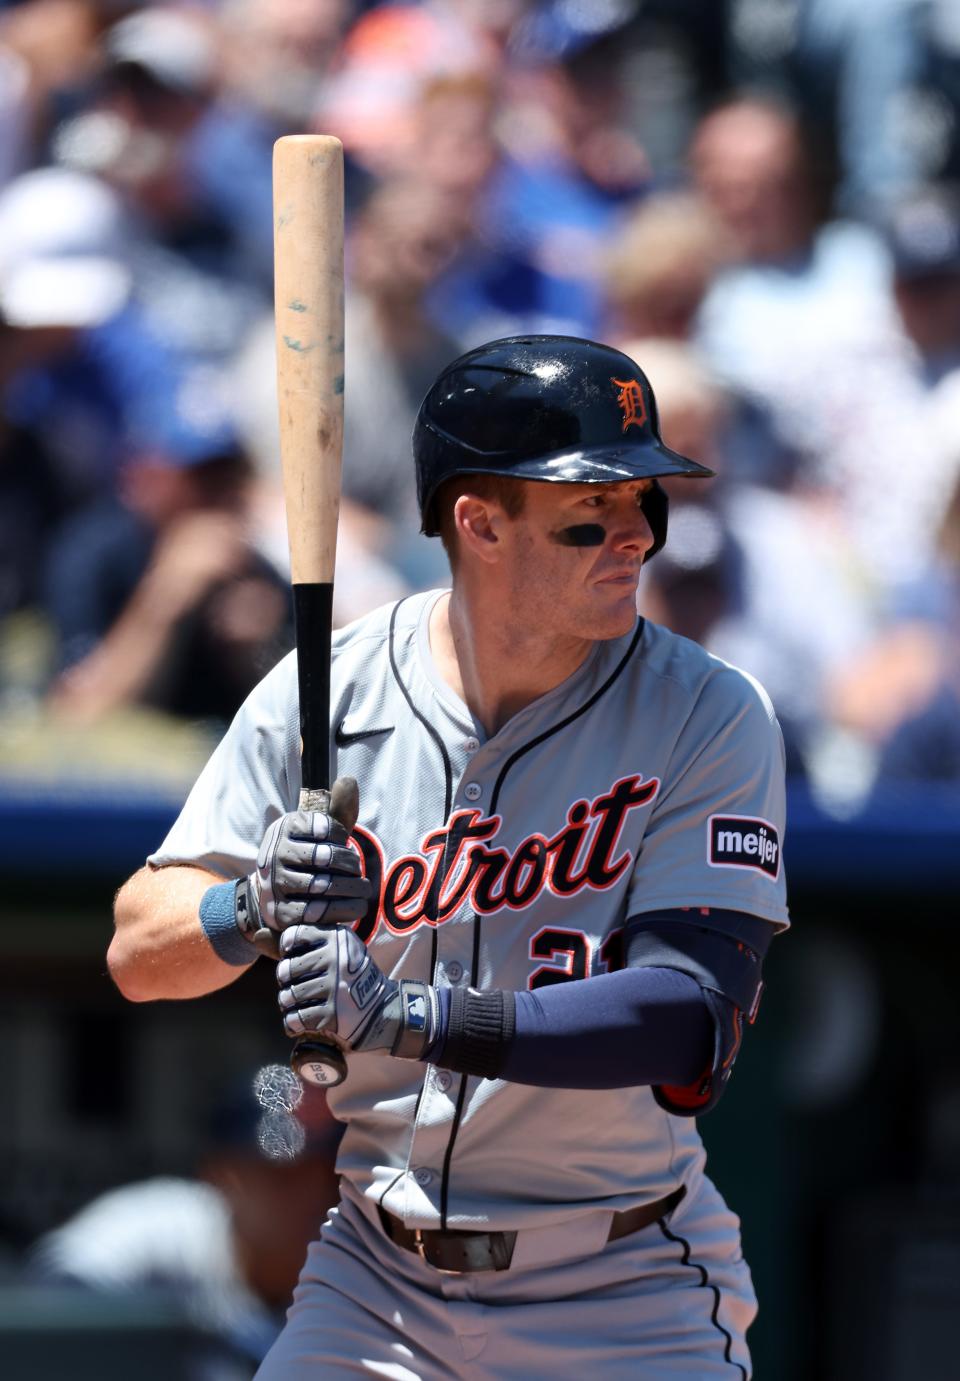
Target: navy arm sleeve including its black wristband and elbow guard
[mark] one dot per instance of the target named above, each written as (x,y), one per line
(673,1020)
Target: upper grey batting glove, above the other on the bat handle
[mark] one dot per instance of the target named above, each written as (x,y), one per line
(306,875)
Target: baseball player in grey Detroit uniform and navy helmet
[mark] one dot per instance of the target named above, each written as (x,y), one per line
(541,943)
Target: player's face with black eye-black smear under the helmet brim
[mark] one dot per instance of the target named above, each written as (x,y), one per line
(575,554)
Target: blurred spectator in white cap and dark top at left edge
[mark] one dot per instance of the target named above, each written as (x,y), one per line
(63,277)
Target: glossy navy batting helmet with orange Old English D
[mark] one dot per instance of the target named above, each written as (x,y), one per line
(550,408)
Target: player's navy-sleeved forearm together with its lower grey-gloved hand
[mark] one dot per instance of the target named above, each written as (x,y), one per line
(644,1025)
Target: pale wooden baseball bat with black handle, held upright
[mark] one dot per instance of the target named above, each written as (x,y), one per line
(309,307)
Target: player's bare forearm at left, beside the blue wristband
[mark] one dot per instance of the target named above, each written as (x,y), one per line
(160,948)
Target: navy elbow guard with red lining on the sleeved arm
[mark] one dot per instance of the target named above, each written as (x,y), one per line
(729,972)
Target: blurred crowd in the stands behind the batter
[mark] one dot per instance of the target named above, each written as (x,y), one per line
(758,200)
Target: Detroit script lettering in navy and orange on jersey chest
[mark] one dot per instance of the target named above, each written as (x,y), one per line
(461,864)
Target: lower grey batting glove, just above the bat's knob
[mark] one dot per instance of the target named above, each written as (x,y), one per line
(332,988)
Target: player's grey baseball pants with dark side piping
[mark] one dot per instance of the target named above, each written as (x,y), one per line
(671,1303)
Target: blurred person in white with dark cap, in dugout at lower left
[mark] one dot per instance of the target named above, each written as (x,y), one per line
(227,1246)
